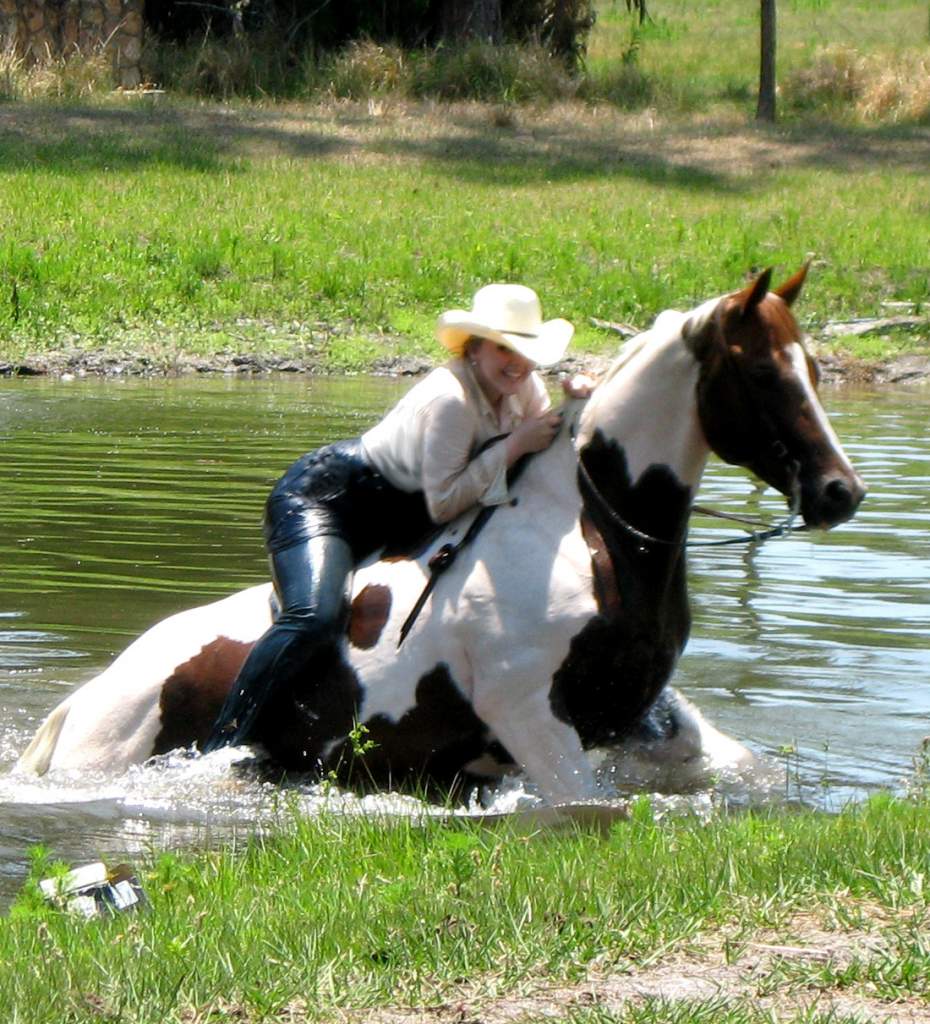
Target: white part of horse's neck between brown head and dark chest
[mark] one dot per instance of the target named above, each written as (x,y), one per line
(648,406)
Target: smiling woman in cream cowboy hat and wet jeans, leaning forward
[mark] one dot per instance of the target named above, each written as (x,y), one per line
(427,462)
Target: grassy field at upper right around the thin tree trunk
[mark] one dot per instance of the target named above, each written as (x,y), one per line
(853,62)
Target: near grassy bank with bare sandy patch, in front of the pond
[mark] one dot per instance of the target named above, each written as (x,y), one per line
(809,918)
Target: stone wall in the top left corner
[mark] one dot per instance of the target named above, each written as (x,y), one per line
(43,29)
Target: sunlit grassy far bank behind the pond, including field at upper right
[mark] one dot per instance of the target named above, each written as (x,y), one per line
(334,231)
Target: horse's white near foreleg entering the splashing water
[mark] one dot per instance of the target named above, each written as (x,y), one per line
(549,751)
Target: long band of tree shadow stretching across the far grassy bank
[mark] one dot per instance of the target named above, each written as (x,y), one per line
(724,158)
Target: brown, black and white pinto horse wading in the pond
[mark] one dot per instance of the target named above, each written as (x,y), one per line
(557,630)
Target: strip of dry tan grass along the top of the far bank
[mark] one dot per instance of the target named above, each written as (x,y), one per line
(394,132)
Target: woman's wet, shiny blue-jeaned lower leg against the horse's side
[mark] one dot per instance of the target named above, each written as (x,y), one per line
(311,583)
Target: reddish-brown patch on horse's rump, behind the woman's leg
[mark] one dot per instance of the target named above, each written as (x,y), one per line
(194,694)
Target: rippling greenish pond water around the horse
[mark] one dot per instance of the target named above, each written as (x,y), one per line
(125,501)
